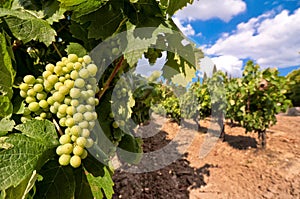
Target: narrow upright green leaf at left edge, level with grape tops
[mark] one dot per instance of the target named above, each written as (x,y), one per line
(7,73)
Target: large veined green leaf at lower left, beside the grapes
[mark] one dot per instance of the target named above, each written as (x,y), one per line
(30,151)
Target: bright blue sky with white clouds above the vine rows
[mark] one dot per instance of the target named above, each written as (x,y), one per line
(230,32)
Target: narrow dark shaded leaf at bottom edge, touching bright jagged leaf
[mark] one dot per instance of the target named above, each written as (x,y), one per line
(82,189)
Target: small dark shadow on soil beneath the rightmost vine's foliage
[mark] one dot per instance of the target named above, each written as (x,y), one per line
(240,142)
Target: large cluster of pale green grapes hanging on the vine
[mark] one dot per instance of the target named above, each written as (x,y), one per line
(69,89)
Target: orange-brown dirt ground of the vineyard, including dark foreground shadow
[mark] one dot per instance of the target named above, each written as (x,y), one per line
(235,168)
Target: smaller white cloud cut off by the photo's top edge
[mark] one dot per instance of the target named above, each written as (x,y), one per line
(208,9)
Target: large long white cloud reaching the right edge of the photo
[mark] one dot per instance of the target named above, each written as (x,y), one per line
(270,39)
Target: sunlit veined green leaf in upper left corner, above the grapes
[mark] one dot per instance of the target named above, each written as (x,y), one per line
(28,27)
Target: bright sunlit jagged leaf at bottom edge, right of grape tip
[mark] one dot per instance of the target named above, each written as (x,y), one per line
(101,185)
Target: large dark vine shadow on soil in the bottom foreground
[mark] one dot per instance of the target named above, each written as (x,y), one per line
(172,181)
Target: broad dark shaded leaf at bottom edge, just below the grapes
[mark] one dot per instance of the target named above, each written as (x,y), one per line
(58,181)
